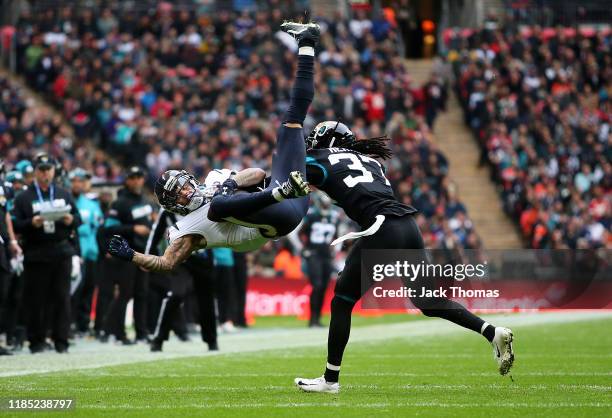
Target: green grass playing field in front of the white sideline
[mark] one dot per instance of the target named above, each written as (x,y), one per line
(562,369)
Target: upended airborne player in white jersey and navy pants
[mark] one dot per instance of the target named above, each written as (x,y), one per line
(218,214)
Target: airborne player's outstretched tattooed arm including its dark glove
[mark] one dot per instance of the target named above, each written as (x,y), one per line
(175,254)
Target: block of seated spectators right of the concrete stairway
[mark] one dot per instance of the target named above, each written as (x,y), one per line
(539,103)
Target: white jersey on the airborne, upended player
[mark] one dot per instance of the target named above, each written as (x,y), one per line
(217,234)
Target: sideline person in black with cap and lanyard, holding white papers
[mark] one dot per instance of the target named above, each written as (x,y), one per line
(47,254)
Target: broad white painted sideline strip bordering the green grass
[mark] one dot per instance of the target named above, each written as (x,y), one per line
(91,355)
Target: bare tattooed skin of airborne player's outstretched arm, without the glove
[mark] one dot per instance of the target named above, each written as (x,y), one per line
(175,254)
